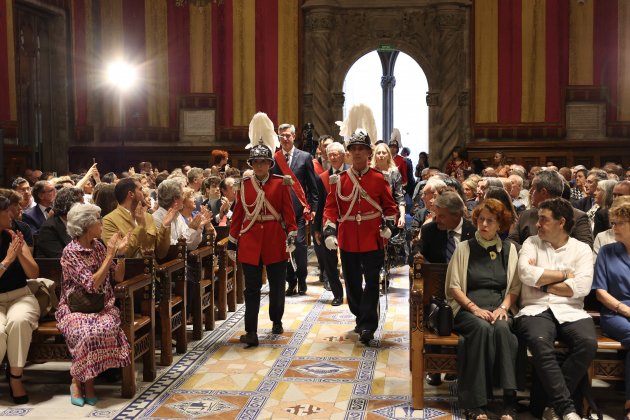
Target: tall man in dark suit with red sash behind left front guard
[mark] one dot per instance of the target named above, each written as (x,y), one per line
(299,165)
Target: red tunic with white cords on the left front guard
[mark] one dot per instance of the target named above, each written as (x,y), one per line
(267,237)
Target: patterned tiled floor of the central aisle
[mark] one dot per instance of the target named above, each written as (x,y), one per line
(315,370)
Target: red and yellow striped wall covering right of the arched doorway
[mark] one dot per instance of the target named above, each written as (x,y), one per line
(527,52)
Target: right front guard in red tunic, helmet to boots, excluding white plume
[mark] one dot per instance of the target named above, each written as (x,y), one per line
(359,213)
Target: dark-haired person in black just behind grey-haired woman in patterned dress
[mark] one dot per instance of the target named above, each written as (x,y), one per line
(53,236)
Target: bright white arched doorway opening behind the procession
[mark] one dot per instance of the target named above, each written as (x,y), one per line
(362,84)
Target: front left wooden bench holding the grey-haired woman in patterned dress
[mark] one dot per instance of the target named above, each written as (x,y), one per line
(138,325)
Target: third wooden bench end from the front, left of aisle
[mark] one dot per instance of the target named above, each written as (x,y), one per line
(201,262)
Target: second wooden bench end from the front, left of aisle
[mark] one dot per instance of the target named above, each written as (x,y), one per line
(170,274)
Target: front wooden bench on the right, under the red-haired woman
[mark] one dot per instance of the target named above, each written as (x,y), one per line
(429,280)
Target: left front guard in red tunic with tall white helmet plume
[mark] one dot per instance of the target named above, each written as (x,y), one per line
(263,231)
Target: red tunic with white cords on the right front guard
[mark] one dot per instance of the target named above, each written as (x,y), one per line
(360,232)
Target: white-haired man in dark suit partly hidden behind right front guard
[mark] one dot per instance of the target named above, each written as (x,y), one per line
(336,155)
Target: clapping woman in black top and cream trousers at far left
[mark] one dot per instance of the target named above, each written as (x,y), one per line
(19,310)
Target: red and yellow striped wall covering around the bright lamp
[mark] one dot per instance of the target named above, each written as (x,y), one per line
(244,51)
